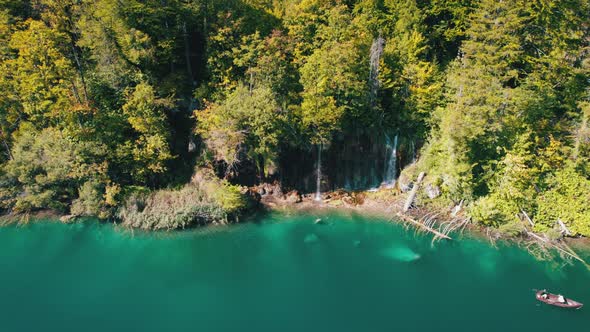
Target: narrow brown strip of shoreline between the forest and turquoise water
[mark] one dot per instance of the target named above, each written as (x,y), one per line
(384,204)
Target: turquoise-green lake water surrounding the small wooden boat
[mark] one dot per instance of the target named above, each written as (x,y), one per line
(281,274)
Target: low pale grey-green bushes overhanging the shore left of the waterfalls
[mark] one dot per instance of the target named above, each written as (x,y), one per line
(205,200)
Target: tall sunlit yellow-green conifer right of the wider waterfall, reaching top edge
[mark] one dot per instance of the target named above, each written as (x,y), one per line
(480,85)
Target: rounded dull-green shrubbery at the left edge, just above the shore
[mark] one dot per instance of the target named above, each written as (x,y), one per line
(47,169)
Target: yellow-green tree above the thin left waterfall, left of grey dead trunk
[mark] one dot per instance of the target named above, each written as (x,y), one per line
(335,78)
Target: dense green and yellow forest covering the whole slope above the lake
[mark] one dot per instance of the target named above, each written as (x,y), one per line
(109,106)
